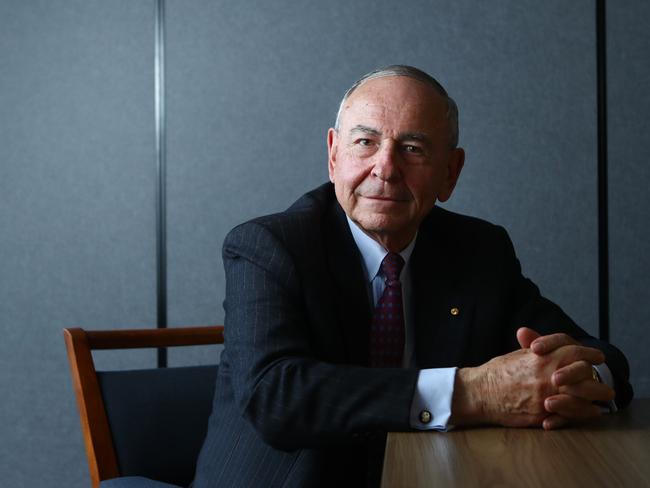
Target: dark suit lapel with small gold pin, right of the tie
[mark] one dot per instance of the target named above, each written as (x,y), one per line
(442,305)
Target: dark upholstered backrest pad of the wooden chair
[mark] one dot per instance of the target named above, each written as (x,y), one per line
(158,419)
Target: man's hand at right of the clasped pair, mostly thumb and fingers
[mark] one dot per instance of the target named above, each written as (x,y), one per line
(577,389)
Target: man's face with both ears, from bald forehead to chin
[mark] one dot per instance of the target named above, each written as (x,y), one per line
(390,159)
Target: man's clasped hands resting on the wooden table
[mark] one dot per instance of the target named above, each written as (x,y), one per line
(548,382)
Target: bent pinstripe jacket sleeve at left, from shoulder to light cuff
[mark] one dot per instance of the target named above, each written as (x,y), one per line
(290,397)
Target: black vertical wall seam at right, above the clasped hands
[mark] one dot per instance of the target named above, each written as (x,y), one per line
(603,227)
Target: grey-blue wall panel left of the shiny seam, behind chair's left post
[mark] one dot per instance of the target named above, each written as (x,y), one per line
(76,213)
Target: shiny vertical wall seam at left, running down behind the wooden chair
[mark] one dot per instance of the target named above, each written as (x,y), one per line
(161,228)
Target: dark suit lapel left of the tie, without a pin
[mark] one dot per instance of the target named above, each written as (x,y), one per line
(351,296)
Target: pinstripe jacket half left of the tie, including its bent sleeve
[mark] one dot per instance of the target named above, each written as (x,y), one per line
(291,411)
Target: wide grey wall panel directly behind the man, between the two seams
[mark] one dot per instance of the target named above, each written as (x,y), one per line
(253,87)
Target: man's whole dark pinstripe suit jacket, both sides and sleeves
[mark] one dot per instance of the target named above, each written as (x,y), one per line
(295,404)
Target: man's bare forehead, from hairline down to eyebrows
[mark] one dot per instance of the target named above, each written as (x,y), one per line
(396,102)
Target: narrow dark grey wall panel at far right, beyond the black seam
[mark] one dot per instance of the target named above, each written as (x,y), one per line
(629,183)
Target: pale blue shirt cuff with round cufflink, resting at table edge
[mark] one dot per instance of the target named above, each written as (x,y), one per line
(431,405)
